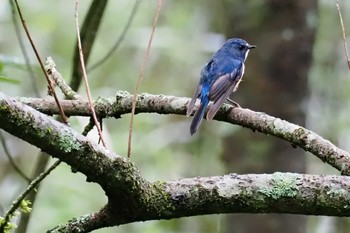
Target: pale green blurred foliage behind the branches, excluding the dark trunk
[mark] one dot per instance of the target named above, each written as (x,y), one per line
(162,146)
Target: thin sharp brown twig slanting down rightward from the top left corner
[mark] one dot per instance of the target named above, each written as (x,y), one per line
(51,89)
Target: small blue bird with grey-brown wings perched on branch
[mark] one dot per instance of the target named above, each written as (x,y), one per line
(219,78)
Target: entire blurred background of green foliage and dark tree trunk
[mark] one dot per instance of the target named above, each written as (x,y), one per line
(298,73)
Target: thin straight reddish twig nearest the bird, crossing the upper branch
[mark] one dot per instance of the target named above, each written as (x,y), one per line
(159,3)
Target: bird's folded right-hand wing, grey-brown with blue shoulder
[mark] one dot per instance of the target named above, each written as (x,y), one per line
(224,85)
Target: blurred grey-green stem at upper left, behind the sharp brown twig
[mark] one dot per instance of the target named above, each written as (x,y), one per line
(24,52)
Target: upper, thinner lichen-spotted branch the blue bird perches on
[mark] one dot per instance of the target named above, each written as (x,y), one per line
(258,121)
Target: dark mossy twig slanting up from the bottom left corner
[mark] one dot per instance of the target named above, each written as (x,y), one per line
(16,203)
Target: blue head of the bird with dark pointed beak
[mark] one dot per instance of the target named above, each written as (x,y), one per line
(237,47)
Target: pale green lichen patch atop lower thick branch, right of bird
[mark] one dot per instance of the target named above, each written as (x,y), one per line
(282,185)
